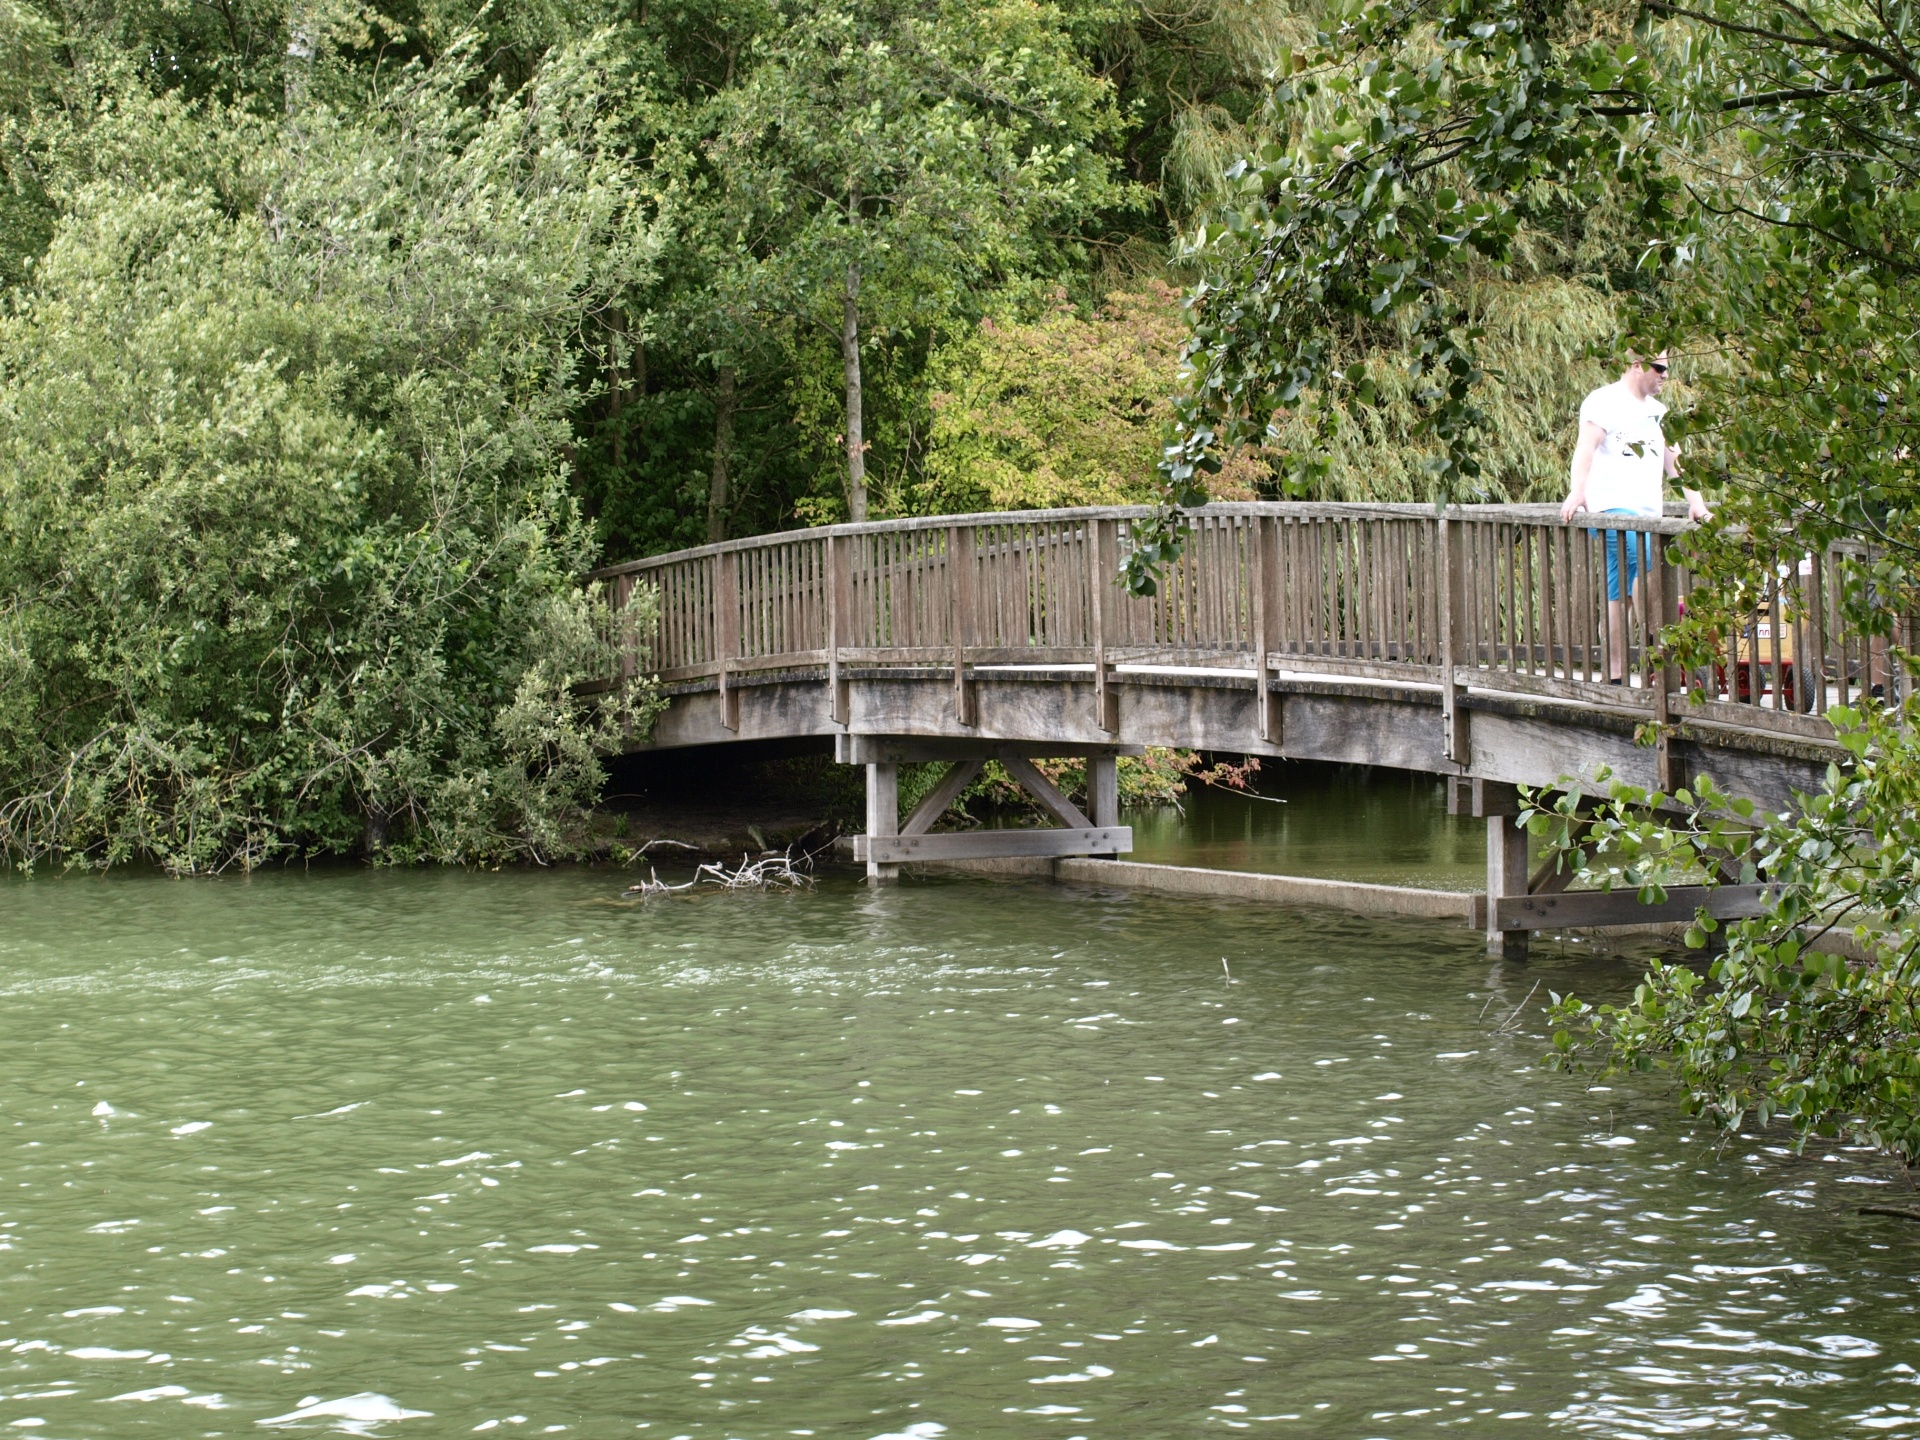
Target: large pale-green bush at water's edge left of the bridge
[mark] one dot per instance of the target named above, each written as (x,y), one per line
(287,544)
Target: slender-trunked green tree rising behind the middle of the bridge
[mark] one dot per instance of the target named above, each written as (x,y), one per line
(886,162)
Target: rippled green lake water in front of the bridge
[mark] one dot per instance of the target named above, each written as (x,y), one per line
(441,1155)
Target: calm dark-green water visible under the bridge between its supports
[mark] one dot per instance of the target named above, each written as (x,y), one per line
(1339,823)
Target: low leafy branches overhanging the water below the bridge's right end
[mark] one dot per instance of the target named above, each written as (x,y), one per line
(1775,1028)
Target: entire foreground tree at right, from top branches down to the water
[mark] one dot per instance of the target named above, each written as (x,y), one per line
(1769,164)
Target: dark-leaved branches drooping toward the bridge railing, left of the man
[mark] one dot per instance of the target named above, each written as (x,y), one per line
(1418,139)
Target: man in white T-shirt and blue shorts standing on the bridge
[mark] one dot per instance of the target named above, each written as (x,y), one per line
(1621,468)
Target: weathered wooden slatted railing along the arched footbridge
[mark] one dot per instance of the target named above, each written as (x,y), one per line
(1495,598)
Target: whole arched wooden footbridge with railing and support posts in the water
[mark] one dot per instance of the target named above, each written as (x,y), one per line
(1472,644)
